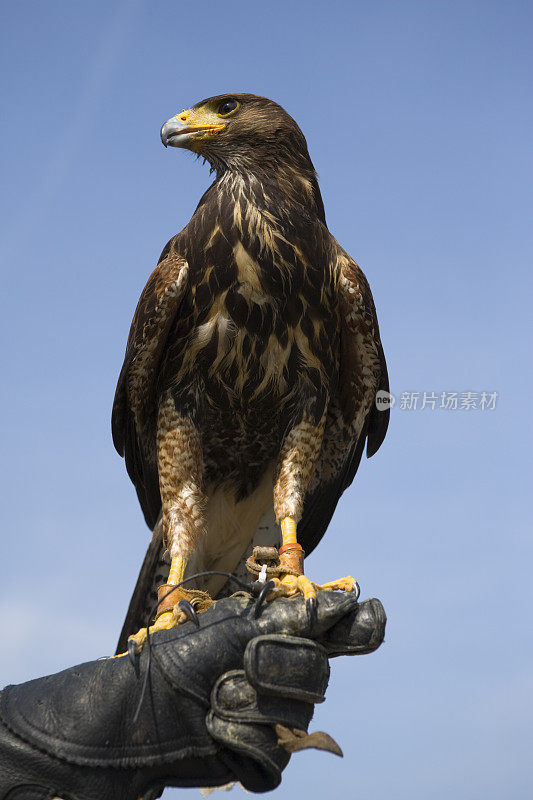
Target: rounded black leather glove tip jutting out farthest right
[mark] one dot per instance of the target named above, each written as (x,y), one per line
(361,631)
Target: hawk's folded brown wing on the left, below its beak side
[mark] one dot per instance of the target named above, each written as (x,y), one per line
(133,420)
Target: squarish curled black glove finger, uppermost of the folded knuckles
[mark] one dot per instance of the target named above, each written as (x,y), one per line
(287,666)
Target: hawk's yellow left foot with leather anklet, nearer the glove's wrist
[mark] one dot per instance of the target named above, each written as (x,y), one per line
(176,606)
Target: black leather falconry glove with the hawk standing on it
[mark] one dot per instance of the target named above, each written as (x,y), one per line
(228,701)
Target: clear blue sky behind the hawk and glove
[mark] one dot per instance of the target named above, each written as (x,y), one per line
(418,118)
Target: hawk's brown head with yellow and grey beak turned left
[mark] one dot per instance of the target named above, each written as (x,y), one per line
(241,132)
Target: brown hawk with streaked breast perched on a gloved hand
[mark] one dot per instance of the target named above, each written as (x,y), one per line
(248,388)
